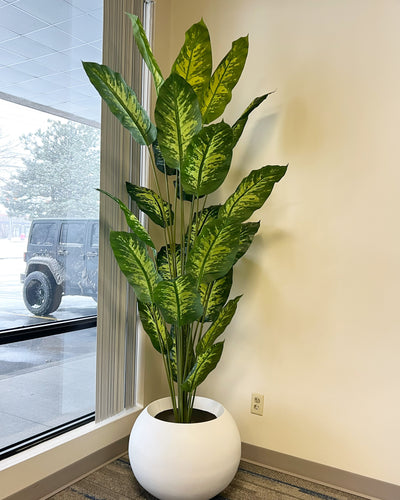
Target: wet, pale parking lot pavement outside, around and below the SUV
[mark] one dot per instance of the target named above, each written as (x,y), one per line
(43,382)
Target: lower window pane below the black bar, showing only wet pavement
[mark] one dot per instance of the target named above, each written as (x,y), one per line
(45,382)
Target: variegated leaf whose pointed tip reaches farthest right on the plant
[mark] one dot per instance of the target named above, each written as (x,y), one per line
(252,193)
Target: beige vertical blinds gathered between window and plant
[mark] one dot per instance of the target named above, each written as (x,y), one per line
(120,161)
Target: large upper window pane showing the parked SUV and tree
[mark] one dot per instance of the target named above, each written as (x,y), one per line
(49,161)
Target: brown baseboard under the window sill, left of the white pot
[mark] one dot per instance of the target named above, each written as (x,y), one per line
(59,480)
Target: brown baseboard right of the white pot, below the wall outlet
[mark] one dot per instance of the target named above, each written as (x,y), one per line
(347,481)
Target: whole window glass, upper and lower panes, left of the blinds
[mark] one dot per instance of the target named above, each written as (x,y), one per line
(49,229)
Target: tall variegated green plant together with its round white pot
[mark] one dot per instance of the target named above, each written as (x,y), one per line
(183,287)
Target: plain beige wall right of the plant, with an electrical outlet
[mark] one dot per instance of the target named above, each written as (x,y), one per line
(317,331)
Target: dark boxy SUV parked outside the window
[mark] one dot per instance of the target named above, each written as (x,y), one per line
(61,259)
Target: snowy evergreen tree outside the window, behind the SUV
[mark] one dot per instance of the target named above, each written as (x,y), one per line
(60,174)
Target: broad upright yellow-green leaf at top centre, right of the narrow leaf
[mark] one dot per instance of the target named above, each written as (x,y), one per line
(194,62)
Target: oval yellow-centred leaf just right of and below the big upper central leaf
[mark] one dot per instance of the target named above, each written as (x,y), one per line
(207,160)
